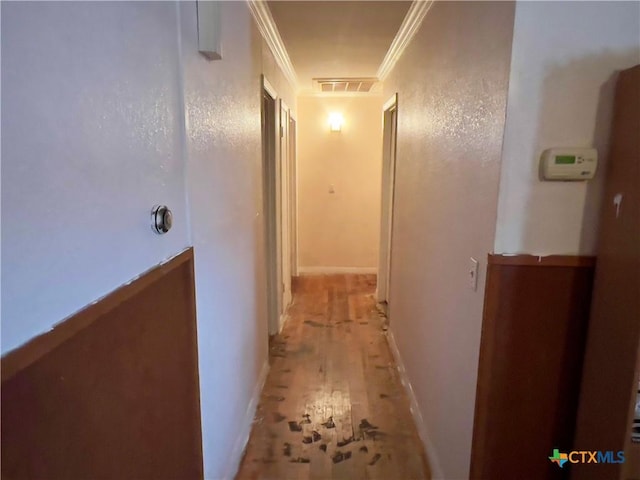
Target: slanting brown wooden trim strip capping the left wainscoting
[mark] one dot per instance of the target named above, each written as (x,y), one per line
(37,347)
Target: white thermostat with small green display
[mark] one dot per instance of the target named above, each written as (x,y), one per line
(568,163)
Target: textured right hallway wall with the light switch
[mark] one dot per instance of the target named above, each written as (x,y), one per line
(452,90)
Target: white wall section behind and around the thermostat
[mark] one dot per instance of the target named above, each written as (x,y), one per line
(561,90)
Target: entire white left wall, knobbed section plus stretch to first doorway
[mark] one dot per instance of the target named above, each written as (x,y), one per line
(108,109)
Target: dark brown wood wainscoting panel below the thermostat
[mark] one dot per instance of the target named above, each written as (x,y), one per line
(533,335)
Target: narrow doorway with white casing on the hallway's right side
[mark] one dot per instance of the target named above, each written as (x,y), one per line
(390,122)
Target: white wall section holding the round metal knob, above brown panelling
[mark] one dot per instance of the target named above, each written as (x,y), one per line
(91,140)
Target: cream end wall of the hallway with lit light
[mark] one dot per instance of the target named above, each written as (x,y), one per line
(340,229)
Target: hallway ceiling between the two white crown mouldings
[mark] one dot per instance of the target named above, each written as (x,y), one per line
(335,39)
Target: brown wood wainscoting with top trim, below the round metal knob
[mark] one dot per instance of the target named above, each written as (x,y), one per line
(113,391)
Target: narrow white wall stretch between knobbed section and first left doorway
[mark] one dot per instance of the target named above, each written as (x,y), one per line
(222,100)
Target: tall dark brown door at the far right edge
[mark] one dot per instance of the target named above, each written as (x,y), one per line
(609,390)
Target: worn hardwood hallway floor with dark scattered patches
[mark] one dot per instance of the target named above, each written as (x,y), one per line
(333,406)
